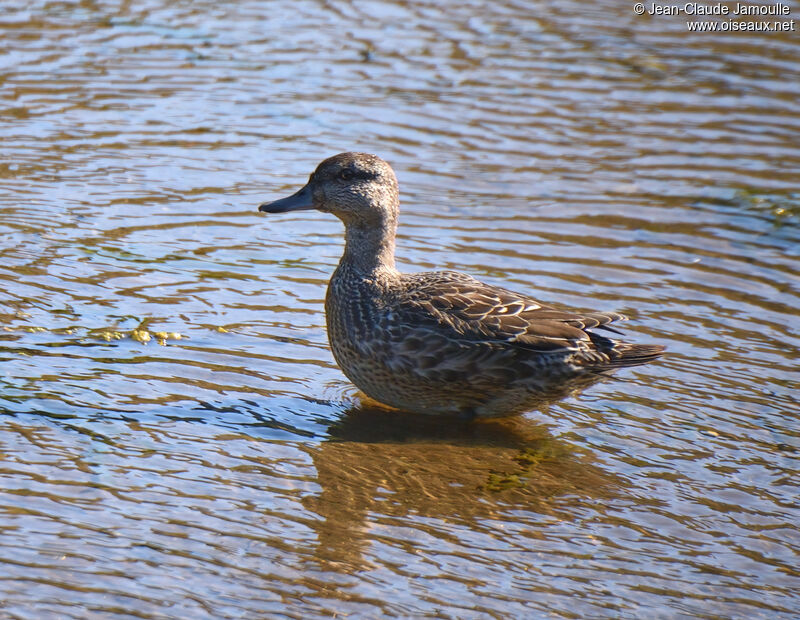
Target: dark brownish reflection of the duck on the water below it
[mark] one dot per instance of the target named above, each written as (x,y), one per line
(380,465)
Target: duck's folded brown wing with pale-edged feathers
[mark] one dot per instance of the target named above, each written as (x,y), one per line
(479,312)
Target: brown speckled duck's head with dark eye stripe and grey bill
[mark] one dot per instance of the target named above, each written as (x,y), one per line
(358,188)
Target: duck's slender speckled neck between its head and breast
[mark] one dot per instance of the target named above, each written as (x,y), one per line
(369,248)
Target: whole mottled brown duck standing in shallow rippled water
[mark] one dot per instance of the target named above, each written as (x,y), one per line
(441,342)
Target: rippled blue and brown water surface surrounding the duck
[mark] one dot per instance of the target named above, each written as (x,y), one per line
(176,440)
